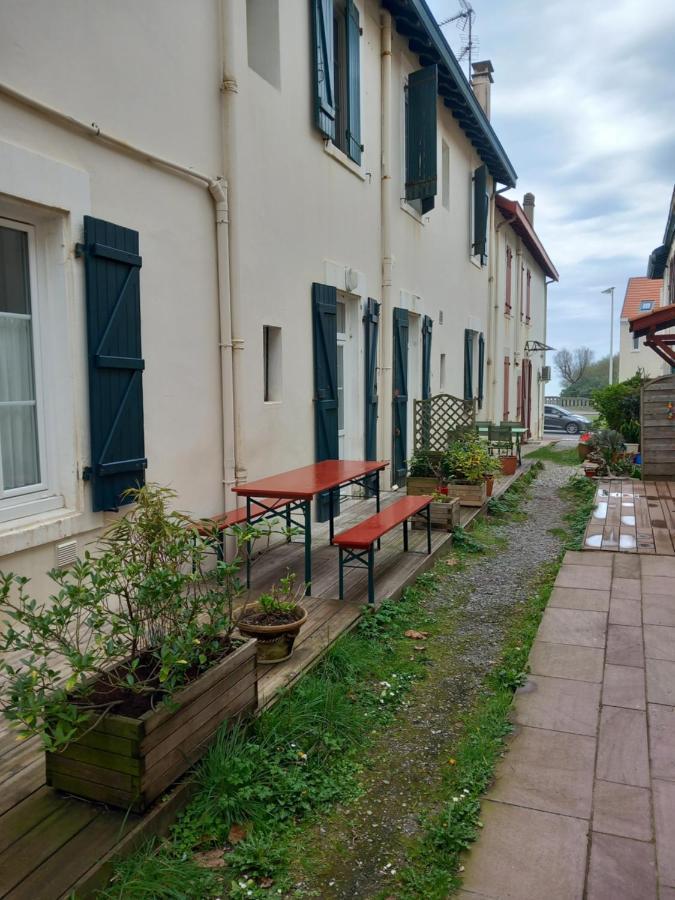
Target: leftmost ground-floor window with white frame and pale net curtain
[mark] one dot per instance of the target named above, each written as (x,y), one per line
(21,440)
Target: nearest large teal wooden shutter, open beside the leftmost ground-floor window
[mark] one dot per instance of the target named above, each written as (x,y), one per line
(112,266)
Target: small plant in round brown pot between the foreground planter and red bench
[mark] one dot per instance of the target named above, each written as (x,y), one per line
(275,620)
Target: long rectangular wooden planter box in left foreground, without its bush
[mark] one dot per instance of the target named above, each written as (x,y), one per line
(128,762)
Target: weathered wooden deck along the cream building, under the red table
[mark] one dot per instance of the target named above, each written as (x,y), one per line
(53,846)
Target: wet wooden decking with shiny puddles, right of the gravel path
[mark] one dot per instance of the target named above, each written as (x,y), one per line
(633,517)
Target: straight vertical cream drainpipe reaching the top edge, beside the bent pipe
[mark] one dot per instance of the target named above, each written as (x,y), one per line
(232,27)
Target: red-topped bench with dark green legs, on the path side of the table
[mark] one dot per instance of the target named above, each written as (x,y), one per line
(357,544)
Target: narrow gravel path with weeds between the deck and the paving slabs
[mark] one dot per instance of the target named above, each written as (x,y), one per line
(362,845)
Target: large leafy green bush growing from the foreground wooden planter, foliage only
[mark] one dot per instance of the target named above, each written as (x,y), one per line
(133,624)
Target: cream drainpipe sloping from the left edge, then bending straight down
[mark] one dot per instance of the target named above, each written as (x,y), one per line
(217,188)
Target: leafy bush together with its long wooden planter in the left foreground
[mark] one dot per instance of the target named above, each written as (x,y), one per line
(128,670)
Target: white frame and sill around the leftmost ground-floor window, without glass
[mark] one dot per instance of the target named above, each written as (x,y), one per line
(29,499)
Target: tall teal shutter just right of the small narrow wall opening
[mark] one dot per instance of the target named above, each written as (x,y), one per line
(324,330)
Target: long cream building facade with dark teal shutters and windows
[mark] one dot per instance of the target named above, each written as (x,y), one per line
(247,240)
